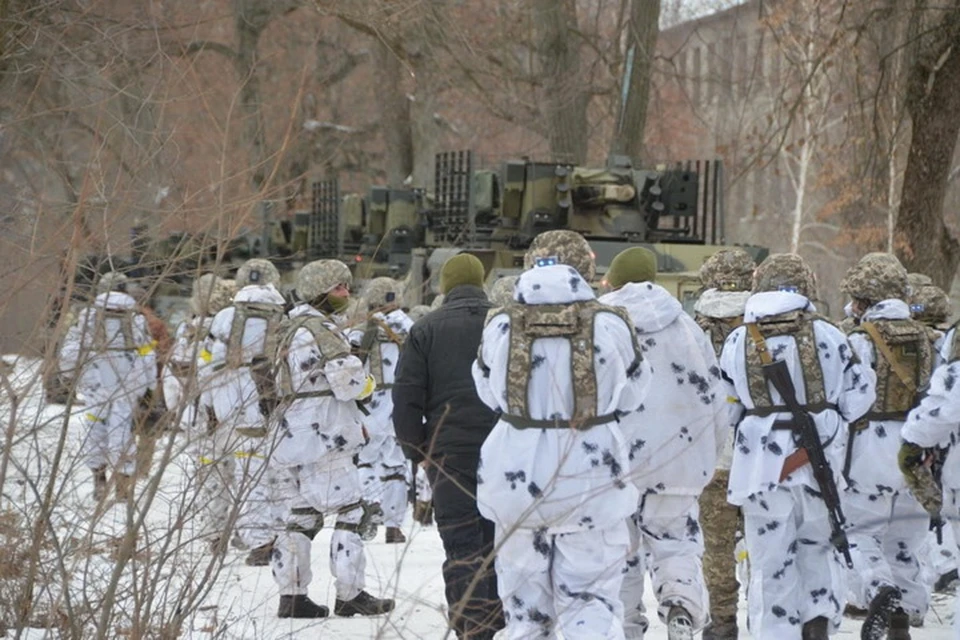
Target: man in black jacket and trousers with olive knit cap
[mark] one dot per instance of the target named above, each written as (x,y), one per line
(439,418)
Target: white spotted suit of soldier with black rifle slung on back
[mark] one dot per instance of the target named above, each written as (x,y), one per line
(795,573)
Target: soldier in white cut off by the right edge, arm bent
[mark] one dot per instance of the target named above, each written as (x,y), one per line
(930,431)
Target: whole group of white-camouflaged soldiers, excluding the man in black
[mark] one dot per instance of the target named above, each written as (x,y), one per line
(631,439)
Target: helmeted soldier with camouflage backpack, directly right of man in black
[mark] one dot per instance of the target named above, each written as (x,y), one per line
(553,474)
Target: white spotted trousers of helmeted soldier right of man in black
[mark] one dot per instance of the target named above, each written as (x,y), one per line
(565,582)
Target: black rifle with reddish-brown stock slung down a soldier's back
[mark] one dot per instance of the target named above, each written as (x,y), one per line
(808,437)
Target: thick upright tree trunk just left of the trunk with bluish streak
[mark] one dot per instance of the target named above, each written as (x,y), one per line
(565,97)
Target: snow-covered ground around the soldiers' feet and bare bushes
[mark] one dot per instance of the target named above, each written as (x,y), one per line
(170,563)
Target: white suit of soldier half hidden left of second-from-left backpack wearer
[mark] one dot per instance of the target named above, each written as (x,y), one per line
(211,466)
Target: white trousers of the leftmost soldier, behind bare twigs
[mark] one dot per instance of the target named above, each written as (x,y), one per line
(109,440)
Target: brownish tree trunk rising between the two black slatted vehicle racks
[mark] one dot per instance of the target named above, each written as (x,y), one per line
(394,107)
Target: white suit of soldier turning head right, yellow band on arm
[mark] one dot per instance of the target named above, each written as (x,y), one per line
(316,436)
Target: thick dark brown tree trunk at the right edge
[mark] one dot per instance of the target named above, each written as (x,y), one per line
(933,101)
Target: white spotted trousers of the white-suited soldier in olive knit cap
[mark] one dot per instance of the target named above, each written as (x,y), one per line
(665,532)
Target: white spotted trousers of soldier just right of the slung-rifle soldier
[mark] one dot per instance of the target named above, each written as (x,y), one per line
(887,533)
